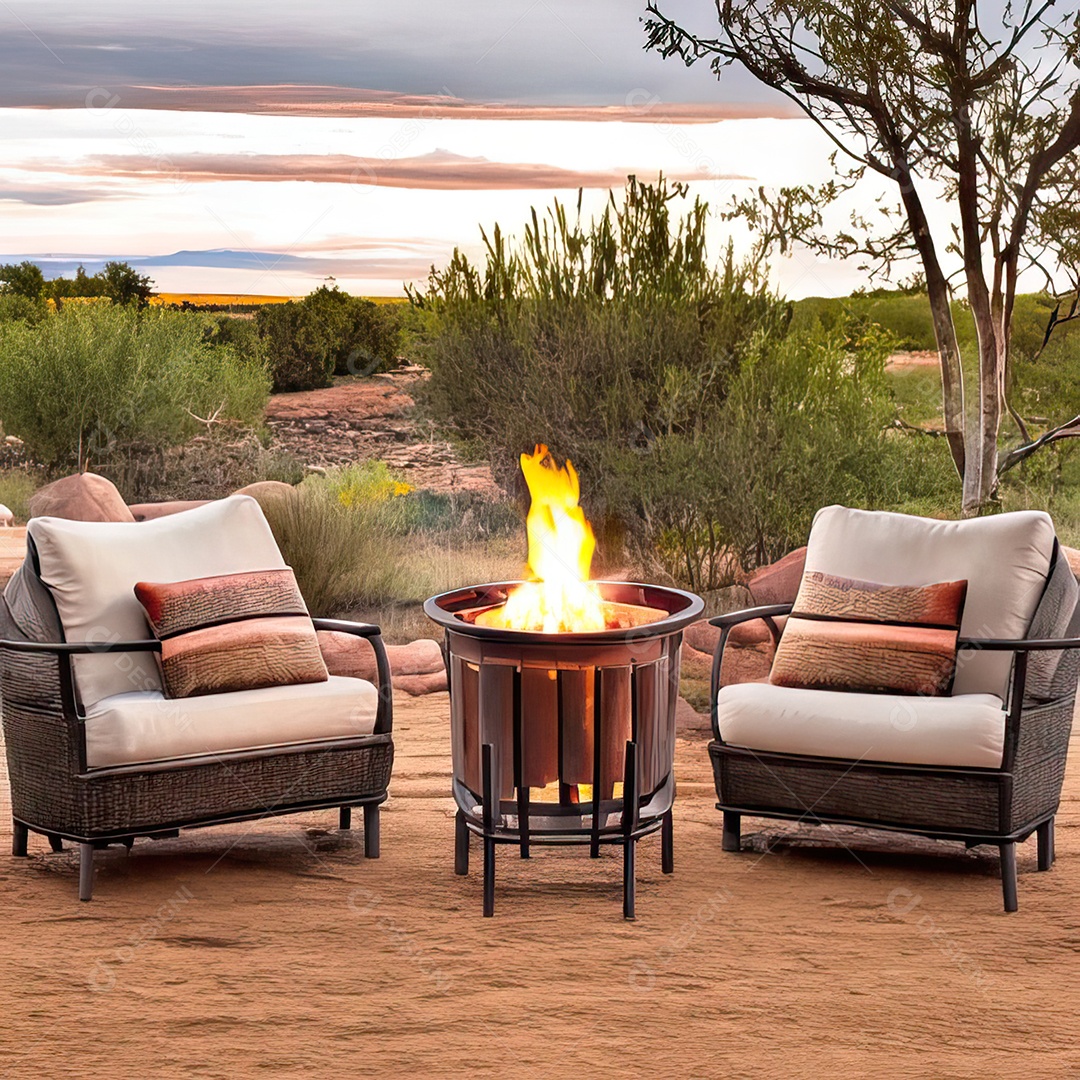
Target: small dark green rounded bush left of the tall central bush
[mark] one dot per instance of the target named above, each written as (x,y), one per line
(328,333)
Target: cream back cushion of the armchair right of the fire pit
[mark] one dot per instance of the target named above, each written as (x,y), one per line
(1005,560)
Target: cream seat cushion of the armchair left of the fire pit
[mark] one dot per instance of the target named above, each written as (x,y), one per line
(145,726)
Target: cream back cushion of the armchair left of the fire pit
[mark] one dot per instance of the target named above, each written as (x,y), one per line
(91,570)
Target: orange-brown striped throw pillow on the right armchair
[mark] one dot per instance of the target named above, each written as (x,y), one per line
(845,634)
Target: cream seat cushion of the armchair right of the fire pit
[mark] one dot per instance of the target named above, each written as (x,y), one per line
(966,731)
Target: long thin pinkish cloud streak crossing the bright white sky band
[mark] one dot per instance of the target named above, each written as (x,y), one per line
(440,170)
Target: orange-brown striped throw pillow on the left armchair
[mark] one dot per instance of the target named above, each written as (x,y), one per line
(235,632)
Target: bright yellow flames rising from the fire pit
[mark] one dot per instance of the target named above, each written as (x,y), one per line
(560,598)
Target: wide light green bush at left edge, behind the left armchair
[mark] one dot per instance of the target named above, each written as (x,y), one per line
(93,383)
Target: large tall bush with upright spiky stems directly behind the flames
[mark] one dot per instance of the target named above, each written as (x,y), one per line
(590,337)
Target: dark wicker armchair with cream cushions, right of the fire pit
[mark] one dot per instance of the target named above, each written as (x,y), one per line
(1000,793)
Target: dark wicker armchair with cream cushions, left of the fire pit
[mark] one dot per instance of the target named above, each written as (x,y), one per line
(60,787)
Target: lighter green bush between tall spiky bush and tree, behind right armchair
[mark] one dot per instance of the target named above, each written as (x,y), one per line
(804,426)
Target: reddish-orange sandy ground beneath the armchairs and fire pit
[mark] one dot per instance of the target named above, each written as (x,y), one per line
(274,950)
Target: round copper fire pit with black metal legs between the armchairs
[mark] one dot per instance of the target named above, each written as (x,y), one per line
(542,724)
